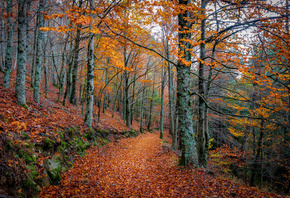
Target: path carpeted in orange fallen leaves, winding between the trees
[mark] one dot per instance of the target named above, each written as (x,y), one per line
(141,167)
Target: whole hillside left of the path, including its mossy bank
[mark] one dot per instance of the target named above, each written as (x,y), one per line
(31,135)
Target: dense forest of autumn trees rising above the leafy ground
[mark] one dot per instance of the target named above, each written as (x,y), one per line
(216,73)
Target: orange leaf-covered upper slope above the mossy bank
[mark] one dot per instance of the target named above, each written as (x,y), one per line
(49,115)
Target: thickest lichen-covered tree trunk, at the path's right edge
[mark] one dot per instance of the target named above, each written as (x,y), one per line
(183,106)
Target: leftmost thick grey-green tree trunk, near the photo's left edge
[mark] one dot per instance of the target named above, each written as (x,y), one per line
(8,57)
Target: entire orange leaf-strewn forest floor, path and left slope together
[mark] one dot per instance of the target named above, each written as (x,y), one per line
(144,166)
